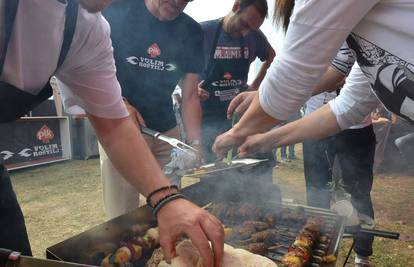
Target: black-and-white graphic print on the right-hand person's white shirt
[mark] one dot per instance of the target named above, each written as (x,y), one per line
(391,77)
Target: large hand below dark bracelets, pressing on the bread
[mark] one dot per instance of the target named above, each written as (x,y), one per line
(181,216)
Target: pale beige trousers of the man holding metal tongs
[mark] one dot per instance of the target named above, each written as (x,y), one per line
(119,196)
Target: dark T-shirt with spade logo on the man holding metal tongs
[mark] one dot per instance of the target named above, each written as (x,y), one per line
(151,57)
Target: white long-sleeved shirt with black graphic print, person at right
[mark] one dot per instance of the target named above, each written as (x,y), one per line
(383,28)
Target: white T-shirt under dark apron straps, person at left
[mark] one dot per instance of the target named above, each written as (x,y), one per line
(88,70)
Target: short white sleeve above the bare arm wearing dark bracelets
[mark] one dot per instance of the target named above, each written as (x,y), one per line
(89,74)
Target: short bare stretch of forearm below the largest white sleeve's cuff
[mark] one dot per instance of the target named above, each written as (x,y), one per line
(255,120)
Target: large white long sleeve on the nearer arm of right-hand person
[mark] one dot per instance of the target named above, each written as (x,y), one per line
(310,45)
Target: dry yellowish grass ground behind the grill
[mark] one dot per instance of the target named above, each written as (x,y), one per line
(64,199)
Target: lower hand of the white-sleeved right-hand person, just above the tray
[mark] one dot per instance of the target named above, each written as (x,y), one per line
(255,144)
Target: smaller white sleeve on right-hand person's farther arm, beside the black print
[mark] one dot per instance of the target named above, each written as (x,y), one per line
(356,100)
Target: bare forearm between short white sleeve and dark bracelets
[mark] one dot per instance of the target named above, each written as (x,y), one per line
(129,153)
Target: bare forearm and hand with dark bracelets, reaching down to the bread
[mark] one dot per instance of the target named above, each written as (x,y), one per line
(133,159)
